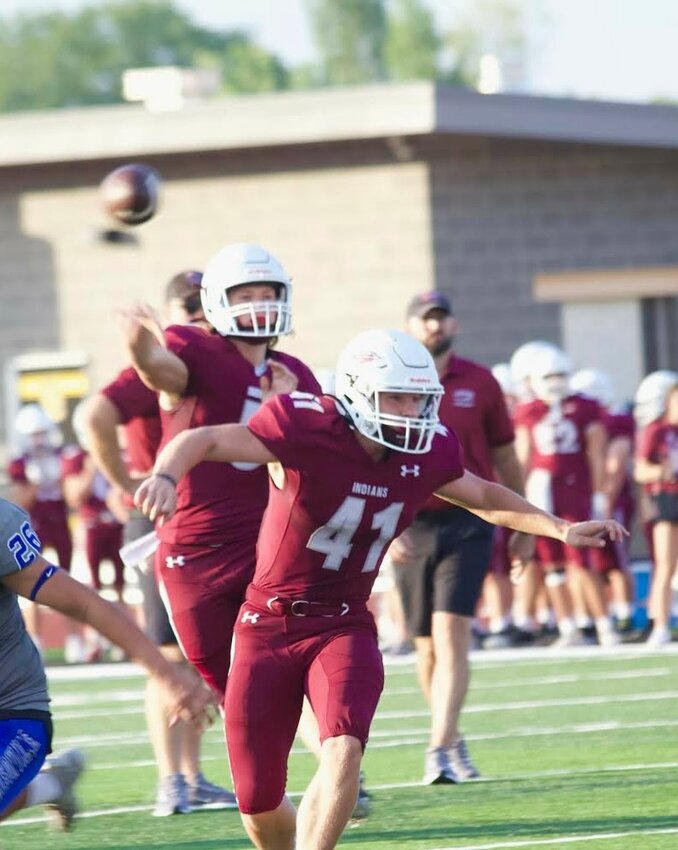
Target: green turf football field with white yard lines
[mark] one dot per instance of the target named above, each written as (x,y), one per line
(577,750)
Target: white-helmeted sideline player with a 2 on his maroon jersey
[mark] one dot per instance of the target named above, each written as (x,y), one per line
(561,439)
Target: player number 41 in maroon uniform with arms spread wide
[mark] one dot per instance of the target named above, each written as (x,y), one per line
(354,471)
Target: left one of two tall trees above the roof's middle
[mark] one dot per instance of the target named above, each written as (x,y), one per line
(350,36)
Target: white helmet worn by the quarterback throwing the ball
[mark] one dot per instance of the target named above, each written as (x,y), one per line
(237,264)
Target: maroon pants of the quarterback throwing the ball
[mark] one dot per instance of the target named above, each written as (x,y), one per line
(203,588)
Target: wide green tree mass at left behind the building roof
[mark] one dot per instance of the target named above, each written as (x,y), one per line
(58,59)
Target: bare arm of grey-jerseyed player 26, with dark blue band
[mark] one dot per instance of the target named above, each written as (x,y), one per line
(187,698)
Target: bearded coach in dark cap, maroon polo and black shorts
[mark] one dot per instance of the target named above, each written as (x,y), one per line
(442,559)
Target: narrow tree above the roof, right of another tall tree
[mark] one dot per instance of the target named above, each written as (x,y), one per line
(412,42)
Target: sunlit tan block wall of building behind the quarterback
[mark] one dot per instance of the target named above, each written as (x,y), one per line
(351,226)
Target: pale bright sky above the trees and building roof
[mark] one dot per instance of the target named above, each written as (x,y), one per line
(602,49)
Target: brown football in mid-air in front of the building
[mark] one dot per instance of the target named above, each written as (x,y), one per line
(130,193)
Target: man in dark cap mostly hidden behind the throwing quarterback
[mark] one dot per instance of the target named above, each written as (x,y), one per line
(127,404)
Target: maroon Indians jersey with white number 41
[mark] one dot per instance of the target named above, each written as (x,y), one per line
(325,532)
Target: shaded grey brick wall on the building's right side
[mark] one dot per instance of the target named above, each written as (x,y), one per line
(506,210)
